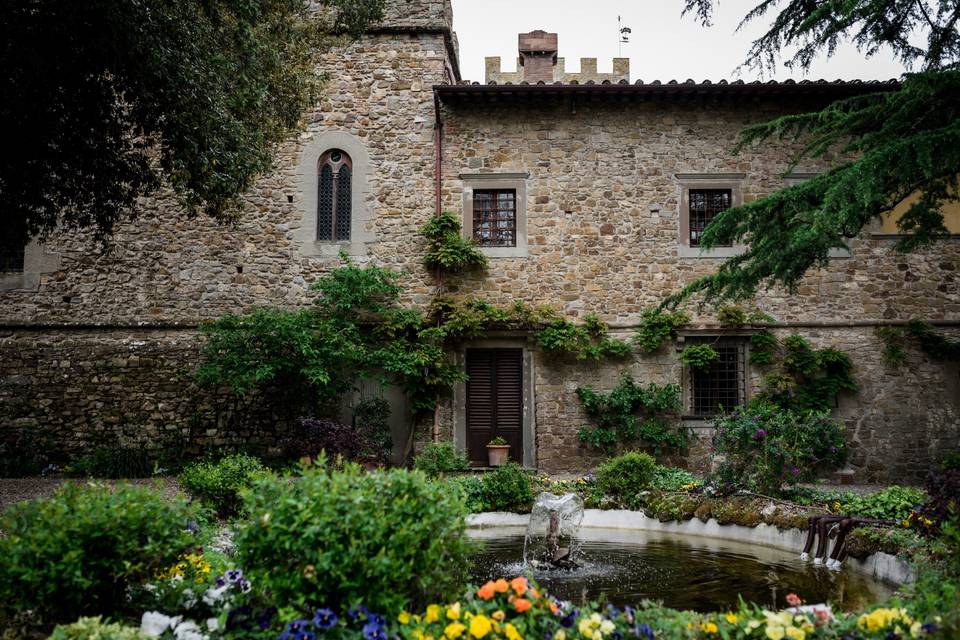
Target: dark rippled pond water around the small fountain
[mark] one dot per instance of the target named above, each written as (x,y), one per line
(684,572)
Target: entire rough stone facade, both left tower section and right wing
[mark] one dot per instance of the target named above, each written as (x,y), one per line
(103,347)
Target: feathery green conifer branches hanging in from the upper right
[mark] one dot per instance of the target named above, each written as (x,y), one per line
(892,144)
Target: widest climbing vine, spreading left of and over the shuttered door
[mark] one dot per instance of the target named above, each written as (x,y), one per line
(357,327)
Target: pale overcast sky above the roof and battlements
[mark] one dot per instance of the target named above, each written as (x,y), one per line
(662,46)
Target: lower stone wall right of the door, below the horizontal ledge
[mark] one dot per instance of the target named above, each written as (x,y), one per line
(900,423)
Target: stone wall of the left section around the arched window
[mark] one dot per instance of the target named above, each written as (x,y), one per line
(79,360)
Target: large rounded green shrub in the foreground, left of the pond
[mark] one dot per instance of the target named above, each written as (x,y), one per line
(387,539)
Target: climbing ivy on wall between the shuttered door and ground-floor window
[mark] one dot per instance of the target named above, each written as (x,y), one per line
(632,413)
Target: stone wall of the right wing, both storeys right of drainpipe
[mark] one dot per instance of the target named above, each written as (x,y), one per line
(603,231)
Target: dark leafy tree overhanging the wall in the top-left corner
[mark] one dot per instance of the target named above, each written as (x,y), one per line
(107,100)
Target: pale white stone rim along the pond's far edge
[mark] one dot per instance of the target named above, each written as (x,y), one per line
(881,566)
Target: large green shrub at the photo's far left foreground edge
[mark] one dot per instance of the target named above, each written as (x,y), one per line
(79,551)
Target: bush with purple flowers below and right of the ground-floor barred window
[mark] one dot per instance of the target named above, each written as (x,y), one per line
(766,446)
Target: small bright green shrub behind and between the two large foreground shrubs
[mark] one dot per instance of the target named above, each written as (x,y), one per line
(218,484)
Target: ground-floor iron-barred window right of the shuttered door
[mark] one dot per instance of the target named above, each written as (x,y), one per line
(722,386)
